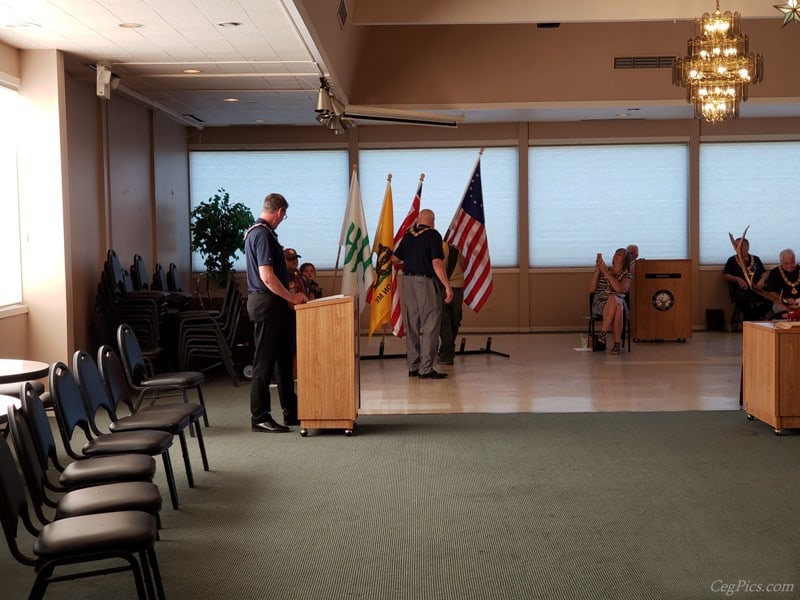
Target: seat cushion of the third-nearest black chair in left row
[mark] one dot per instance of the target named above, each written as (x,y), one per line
(108,469)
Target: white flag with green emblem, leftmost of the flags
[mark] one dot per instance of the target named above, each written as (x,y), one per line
(357,272)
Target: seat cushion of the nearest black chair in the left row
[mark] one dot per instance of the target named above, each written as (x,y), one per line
(89,534)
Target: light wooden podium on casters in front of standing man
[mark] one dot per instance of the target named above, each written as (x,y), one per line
(328,385)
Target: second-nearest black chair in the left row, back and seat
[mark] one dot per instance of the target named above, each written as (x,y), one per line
(109,497)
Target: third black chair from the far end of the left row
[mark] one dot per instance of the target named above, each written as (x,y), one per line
(174,418)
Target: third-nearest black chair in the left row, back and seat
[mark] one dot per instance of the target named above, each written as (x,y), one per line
(87,471)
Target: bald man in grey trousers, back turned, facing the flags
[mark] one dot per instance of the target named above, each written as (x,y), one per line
(420,252)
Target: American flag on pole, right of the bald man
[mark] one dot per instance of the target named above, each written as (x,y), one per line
(467,232)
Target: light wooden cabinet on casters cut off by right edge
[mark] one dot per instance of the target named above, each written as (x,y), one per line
(771,374)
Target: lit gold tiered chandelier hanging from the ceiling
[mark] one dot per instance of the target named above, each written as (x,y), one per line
(719,67)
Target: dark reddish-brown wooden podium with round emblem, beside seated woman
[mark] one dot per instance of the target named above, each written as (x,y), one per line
(661,298)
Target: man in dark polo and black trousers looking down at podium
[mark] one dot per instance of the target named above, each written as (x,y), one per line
(269,306)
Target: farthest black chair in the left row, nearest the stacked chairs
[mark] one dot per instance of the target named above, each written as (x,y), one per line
(160,384)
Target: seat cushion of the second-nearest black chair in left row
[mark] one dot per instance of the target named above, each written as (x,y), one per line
(113,497)
